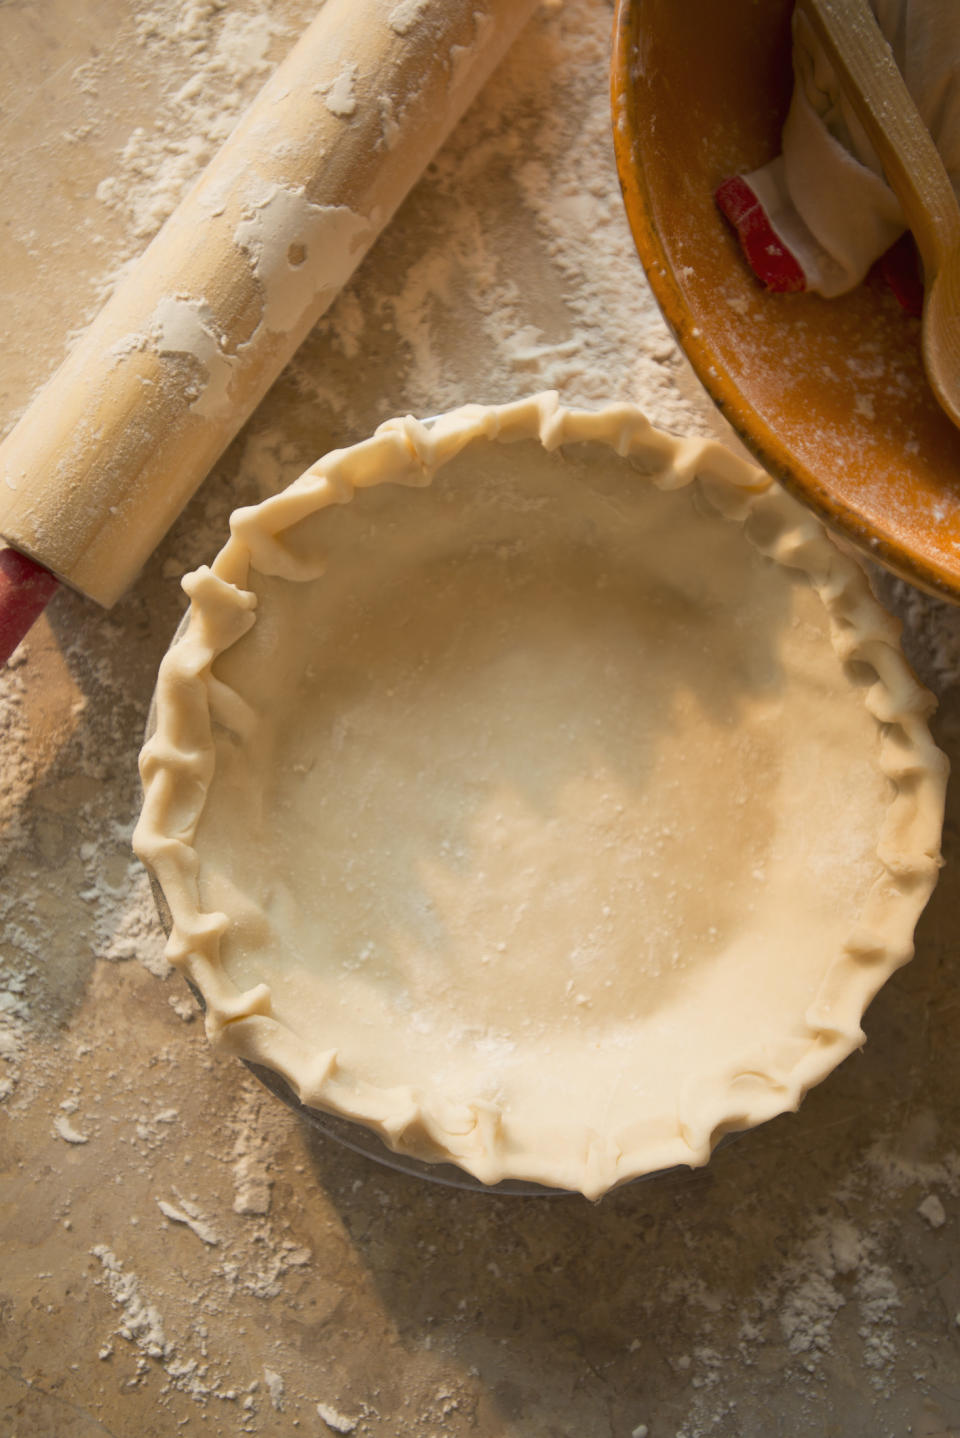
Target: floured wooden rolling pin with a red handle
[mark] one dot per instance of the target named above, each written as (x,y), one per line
(113,448)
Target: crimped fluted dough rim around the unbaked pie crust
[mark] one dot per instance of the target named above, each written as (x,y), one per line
(177,767)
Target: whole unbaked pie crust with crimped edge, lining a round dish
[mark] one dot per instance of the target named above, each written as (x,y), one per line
(551,822)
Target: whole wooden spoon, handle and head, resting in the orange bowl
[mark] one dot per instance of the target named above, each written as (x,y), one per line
(863,60)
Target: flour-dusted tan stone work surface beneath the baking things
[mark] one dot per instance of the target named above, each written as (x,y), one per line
(179,1250)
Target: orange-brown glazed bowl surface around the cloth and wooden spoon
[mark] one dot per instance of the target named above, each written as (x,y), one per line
(830,395)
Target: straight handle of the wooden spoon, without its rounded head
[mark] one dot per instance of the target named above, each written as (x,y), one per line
(864,63)
